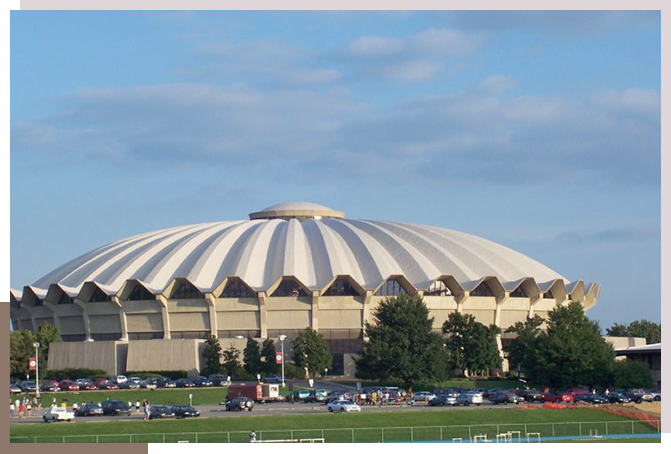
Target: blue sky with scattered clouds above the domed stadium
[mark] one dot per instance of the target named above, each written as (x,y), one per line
(538,130)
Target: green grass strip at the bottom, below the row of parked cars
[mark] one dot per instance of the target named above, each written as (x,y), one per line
(365,426)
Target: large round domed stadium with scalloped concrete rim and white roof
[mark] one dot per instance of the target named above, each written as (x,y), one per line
(146,302)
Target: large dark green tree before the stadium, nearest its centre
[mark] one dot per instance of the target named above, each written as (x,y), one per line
(401,343)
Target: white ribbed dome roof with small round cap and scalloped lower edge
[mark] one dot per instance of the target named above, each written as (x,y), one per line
(293,242)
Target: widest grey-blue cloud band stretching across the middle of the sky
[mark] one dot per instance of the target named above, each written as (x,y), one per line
(479,135)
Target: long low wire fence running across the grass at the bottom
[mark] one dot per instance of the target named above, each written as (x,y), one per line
(370,434)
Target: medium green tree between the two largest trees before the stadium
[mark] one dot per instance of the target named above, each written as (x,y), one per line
(471,346)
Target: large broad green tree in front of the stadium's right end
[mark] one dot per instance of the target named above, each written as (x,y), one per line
(571,351)
